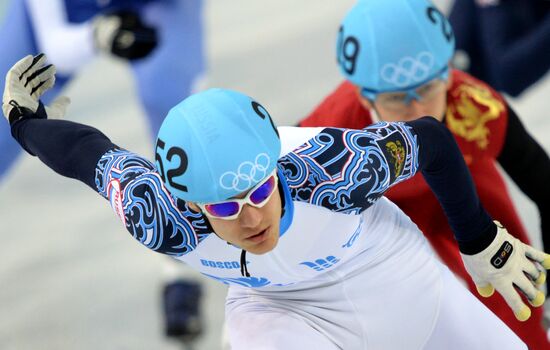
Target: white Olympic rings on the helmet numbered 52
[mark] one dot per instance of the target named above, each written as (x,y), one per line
(247,174)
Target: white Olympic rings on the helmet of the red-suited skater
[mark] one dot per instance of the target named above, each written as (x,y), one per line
(409,70)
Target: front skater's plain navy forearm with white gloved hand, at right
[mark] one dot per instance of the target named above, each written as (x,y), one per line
(493,258)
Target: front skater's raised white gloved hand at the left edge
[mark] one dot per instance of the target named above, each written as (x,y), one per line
(26,81)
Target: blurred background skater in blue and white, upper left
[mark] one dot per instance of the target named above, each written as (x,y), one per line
(159,39)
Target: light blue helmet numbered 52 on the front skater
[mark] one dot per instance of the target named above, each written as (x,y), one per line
(216,144)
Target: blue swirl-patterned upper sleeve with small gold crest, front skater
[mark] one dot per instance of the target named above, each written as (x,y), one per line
(348,170)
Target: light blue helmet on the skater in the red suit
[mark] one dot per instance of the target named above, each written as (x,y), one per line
(389,45)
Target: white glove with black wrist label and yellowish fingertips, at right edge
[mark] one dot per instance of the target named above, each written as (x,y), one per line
(509,266)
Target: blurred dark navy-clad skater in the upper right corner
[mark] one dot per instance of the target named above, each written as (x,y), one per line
(505,43)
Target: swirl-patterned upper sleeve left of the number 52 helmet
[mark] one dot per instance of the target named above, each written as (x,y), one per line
(153,217)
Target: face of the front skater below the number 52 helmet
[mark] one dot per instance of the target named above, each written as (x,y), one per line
(254,229)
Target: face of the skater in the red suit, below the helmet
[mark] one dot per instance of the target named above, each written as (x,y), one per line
(428,99)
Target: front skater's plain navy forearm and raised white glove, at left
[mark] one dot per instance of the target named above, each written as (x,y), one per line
(68,148)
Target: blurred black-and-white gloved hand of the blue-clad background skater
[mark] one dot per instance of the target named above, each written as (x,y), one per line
(123,34)
